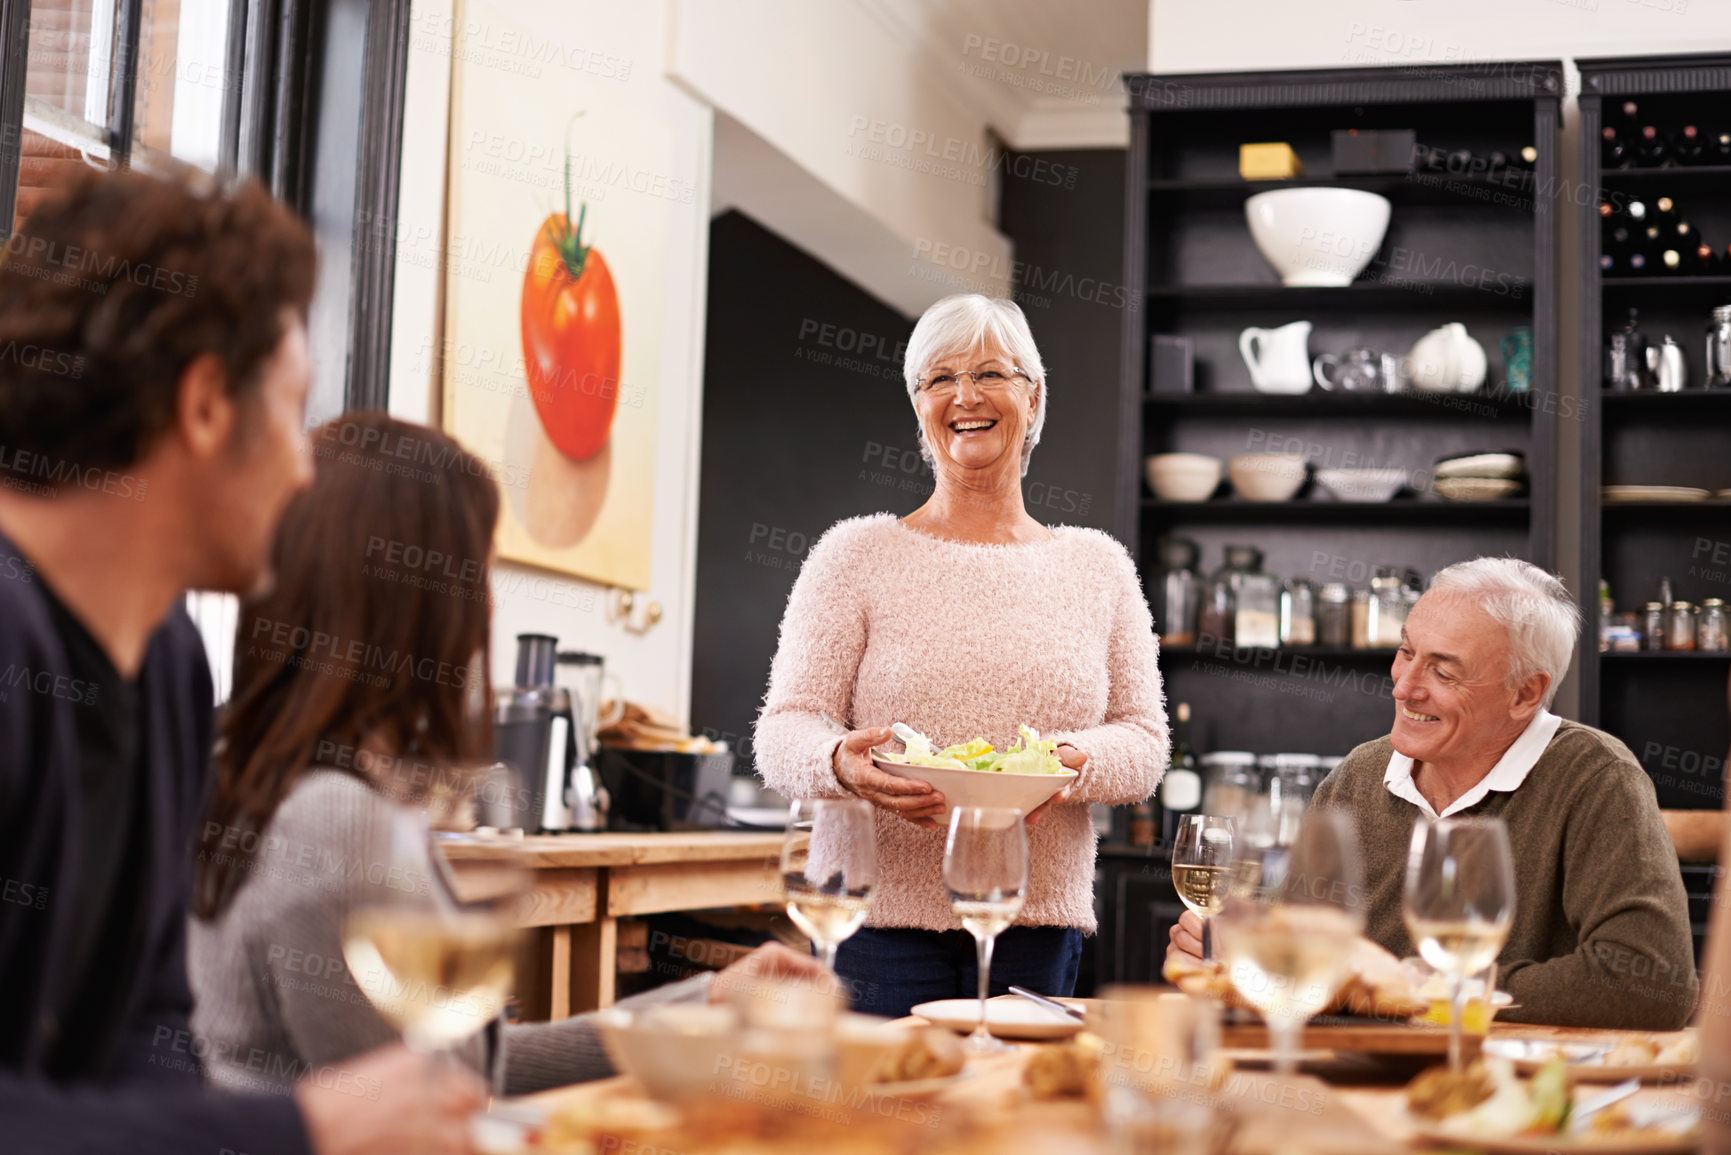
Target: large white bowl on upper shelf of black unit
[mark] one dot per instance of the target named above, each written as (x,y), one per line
(1318,236)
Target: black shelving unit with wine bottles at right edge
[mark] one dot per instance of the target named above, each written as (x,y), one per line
(1670,707)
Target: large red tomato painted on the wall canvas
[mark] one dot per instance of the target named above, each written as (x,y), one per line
(572,340)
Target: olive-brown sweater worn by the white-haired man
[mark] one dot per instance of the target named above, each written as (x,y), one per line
(1602,922)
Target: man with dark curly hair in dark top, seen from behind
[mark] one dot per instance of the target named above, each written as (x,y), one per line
(153,394)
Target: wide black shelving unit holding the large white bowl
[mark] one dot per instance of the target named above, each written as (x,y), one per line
(1187,242)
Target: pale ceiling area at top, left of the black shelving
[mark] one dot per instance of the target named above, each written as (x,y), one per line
(1045,74)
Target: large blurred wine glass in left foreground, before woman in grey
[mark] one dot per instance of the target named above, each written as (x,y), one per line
(434,943)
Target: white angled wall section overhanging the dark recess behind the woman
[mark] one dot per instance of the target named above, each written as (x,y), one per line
(865,153)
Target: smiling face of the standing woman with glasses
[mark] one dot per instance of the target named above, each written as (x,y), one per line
(975,410)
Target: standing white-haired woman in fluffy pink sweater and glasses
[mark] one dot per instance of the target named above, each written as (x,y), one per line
(967,619)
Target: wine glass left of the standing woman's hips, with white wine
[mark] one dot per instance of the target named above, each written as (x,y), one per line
(830,870)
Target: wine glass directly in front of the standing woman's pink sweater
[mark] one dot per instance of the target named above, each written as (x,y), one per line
(986,868)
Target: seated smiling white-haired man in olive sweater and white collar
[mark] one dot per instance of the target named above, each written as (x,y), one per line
(1602,924)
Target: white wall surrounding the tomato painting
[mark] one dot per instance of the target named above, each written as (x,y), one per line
(653,666)
